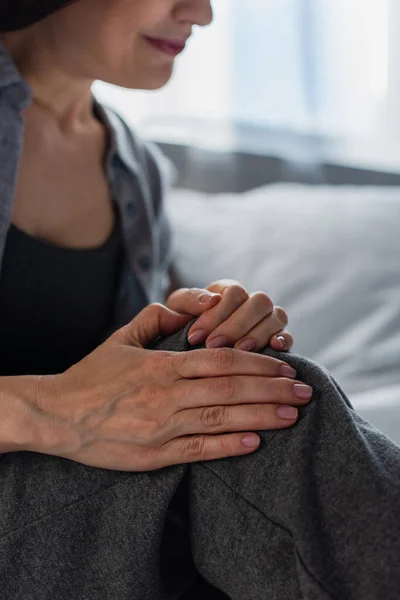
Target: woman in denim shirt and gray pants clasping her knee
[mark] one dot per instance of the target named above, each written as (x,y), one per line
(83,249)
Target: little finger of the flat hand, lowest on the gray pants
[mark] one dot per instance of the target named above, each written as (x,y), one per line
(207,447)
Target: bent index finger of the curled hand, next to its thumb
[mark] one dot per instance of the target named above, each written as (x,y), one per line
(232,298)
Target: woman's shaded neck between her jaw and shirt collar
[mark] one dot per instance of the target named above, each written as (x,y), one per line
(68,97)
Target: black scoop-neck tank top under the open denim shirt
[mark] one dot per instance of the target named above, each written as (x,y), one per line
(55,303)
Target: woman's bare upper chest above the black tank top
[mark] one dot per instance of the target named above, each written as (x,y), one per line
(62,193)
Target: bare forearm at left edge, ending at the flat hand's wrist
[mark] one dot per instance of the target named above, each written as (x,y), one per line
(20,424)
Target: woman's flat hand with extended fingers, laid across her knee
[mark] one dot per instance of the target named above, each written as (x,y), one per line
(127,408)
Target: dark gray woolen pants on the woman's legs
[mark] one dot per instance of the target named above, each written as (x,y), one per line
(313,514)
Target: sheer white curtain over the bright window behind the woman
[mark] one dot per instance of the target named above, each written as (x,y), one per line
(311,65)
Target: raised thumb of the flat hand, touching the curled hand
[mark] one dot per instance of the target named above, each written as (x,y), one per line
(153,321)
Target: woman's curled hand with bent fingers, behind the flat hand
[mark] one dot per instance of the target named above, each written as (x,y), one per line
(229,316)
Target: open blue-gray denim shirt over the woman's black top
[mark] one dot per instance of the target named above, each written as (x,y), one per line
(138,175)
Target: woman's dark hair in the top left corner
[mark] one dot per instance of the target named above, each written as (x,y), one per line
(17,14)
